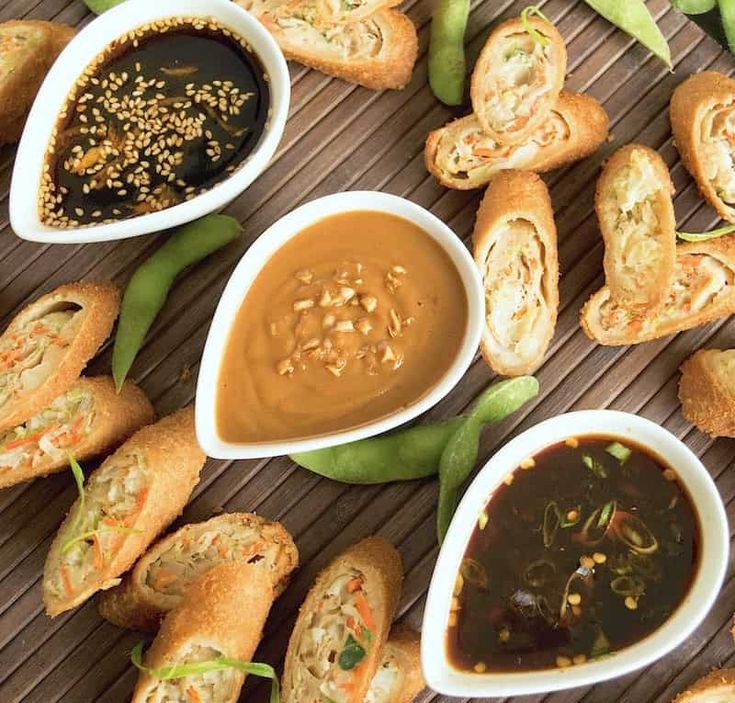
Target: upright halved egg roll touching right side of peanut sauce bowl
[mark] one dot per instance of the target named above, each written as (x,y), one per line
(515,250)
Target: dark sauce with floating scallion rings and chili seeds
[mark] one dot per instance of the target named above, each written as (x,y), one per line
(575,524)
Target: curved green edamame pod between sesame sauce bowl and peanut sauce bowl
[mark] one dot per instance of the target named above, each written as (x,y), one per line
(148,288)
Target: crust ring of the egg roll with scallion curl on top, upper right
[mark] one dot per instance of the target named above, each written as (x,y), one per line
(487,67)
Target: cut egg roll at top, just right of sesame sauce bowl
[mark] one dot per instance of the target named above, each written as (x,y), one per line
(391,66)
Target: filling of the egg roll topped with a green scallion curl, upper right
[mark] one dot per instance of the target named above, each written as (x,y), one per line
(522,75)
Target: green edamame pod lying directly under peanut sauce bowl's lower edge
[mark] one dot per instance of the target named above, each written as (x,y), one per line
(401,456)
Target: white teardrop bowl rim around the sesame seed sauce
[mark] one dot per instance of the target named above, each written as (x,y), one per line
(89,43)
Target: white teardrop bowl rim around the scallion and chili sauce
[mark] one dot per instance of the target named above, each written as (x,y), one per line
(444,678)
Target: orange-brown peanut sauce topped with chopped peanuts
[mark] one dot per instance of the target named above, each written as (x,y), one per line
(354,318)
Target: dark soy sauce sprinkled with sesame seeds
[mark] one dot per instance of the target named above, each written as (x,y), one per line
(164,114)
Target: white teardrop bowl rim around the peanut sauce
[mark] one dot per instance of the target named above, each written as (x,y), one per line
(248,269)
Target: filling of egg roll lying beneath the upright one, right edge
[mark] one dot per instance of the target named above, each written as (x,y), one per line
(700,281)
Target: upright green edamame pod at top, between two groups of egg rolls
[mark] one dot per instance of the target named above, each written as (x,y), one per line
(447,63)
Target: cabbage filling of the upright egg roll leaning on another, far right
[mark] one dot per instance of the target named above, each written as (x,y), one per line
(632,198)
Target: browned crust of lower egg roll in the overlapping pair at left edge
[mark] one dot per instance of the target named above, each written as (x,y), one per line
(116,417)
